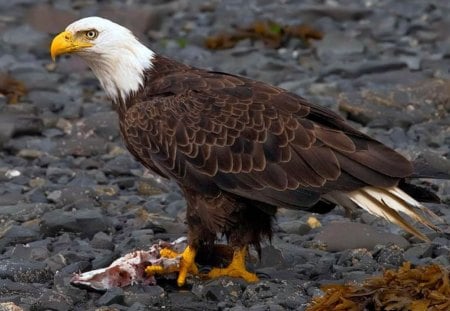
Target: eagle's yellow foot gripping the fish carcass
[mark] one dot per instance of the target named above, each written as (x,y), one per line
(187,264)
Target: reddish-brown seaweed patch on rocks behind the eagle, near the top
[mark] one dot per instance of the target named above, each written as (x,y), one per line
(271,33)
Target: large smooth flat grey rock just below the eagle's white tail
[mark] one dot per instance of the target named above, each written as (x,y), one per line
(341,236)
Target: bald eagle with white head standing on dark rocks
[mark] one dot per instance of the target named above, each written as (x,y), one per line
(238,148)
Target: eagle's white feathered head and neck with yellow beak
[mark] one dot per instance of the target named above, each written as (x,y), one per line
(113,53)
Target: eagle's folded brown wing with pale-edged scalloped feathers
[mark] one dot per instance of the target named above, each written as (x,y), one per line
(218,132)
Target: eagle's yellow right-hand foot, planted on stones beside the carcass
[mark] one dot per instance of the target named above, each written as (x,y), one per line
(236,268)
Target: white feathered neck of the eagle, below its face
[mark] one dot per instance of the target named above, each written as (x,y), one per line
(121,71)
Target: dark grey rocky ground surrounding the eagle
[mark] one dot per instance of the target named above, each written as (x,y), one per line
(72,198)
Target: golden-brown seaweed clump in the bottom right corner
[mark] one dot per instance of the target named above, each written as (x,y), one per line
(417,289)
